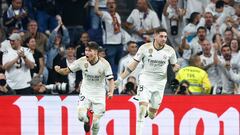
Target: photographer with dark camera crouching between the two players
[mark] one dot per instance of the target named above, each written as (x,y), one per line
(130,87)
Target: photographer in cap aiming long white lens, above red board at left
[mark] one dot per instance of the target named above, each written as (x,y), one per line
(39,88)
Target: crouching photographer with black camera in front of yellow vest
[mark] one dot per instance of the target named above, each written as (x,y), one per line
(182,89)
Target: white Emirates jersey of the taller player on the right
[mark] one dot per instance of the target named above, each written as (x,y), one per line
(155,62)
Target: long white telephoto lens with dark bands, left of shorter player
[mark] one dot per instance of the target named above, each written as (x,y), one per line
(58,88)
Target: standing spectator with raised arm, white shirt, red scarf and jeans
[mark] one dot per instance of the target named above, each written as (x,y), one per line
(111,33)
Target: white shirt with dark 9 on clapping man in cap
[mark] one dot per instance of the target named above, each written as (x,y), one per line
(18,75)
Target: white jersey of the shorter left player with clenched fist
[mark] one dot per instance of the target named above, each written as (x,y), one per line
(93,83)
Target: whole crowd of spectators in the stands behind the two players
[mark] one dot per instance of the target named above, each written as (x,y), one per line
(204,33)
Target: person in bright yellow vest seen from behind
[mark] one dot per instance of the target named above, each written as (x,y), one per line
(197,77)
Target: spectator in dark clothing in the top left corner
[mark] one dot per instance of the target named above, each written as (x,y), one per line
(16,16)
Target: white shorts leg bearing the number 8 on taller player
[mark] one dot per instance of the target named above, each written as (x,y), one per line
(143,94)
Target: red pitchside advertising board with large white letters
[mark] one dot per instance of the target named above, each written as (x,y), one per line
(178,115)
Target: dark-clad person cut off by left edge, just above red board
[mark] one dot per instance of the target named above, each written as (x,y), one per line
(4,87)
